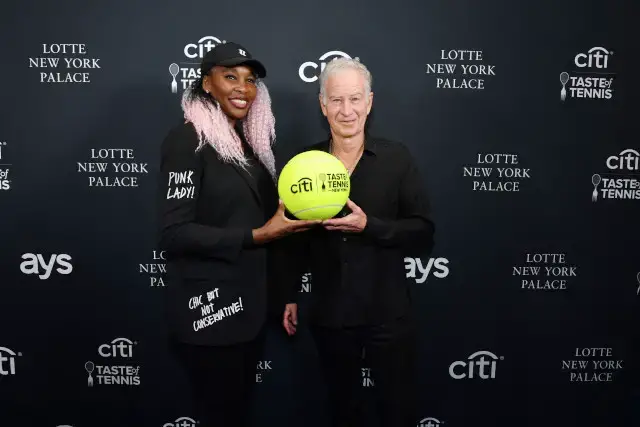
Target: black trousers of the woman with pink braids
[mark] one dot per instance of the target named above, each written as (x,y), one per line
(222,380)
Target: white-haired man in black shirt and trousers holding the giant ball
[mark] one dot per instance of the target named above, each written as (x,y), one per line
(360,302)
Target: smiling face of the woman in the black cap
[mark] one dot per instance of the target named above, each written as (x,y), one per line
(234,88)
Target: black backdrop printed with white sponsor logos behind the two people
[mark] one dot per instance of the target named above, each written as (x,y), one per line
(567,352)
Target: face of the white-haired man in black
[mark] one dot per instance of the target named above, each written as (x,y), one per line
(347,104)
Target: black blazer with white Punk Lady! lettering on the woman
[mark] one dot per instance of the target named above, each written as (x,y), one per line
(216,277)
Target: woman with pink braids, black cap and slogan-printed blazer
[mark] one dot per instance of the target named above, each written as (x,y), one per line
(219,222)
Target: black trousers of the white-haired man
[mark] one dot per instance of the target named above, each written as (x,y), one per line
(389,351)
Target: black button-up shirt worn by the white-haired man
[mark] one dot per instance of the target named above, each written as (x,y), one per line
(360,278)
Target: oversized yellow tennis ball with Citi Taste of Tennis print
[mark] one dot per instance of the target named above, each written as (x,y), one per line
(314,185)
